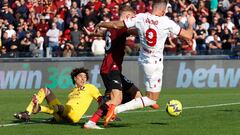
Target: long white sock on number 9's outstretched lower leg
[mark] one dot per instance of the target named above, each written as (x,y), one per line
(135,104)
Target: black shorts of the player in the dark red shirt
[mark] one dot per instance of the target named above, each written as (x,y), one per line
(116,80)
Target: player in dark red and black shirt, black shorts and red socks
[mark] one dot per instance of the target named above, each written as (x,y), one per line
(118,87)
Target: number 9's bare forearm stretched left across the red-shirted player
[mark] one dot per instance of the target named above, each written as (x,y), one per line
(111,25)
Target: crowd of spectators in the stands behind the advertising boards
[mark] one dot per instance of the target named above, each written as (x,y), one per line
(54,28)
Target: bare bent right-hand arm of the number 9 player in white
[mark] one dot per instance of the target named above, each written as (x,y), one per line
(188,33)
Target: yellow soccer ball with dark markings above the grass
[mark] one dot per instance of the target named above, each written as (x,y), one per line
(174,107)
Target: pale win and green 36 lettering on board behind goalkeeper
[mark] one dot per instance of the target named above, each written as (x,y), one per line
(53,78)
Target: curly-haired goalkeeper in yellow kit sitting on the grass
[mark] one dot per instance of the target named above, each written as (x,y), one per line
(79,99)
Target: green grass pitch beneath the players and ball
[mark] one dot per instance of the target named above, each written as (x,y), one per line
(206,112)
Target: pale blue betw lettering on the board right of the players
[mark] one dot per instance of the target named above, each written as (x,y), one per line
(212,77)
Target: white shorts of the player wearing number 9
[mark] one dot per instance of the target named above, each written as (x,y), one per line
(153,72)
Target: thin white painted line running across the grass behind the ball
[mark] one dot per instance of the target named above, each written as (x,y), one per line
(184,108)
